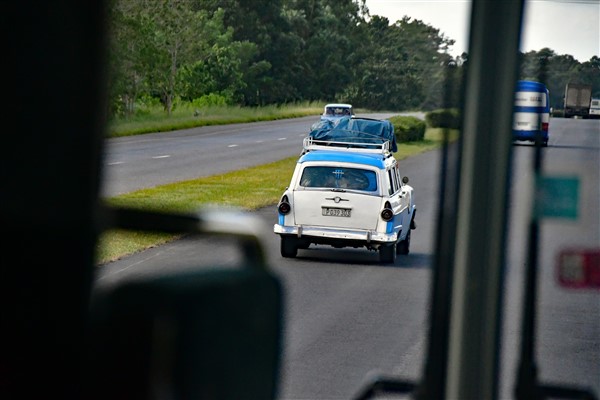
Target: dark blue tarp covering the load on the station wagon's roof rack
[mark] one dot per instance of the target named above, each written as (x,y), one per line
(356,130)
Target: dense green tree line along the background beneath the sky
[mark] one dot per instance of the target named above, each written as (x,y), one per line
(263,52)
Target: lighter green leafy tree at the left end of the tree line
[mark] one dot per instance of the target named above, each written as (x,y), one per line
(173,48)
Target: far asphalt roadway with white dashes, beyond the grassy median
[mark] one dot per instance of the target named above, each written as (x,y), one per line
(138,162)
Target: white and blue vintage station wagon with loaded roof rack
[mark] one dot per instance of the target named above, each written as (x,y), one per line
(347,191)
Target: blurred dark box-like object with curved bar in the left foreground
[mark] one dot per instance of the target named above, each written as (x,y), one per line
(206,333)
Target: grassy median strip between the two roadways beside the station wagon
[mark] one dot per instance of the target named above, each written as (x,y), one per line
(248,189)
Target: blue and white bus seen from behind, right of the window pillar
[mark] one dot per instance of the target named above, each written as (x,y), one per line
(531,112)
